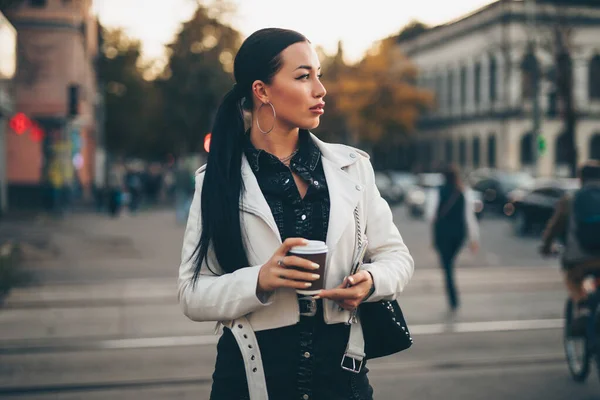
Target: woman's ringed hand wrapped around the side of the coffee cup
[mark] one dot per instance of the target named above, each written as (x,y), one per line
(277,273)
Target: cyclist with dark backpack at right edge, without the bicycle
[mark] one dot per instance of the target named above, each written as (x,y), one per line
(576,221)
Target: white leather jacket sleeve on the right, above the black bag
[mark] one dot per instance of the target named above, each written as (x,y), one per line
(390,262)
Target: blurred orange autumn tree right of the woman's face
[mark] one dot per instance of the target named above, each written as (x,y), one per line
(377,97)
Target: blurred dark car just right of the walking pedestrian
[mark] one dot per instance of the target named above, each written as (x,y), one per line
(495,187)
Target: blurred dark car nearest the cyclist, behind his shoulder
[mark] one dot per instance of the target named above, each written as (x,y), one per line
(532,208)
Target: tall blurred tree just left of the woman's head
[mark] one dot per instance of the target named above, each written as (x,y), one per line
(198,75)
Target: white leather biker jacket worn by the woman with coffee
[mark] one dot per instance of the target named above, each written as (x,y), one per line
(351,183)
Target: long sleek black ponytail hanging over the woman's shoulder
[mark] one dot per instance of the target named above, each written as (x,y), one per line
(221,191)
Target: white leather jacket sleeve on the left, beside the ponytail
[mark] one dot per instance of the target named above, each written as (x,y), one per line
(213,297)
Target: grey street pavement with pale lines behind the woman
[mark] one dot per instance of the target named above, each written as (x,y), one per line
(102,320)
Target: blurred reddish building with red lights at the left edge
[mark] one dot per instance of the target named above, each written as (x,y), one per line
(55,87)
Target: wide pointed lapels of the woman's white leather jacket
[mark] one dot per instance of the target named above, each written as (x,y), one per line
(344,190)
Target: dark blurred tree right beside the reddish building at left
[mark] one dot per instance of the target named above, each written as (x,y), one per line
(131,125)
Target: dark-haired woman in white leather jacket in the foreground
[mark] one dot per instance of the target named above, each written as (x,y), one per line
(262,192)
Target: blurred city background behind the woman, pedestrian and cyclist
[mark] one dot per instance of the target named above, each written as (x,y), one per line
(106,108)
